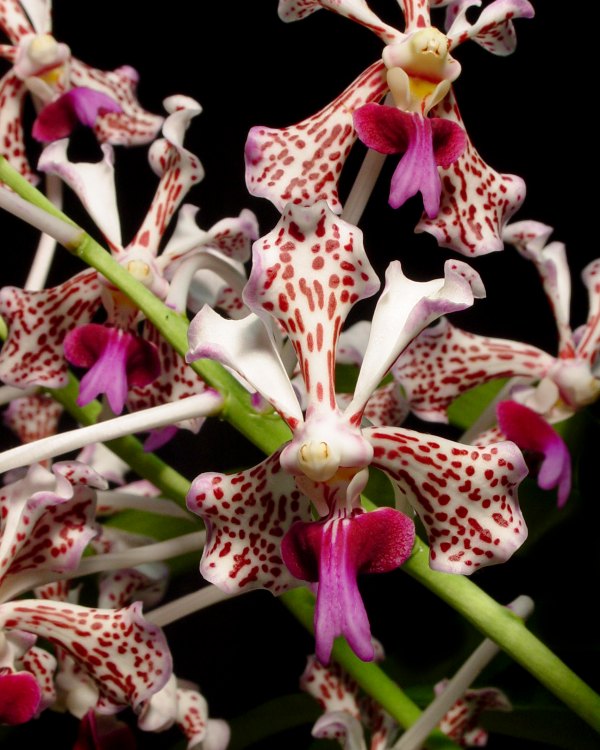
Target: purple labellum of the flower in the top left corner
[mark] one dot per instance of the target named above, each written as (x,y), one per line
(82,105)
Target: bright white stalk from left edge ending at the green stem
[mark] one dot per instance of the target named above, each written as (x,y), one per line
(202,404)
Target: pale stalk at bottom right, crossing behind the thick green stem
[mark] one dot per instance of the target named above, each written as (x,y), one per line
(416,735)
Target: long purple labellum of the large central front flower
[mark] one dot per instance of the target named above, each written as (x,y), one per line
(334,551)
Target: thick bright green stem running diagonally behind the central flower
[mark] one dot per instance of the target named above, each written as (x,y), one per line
(268,432)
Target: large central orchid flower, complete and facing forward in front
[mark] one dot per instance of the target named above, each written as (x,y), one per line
(306,275)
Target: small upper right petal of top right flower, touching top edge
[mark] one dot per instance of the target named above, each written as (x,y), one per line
(494,29)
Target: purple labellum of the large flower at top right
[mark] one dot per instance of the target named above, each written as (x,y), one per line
(425,144)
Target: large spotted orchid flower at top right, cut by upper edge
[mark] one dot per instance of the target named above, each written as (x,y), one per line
(302,163)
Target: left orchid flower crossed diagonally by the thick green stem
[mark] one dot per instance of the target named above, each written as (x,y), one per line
(141,370)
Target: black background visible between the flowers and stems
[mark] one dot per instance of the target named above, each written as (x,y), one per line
(528,115)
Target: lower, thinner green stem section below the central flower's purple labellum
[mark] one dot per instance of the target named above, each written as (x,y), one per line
(367,674)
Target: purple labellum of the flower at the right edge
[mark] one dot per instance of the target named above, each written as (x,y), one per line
(531,432)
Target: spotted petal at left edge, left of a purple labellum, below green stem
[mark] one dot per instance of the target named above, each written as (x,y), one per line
(38,323)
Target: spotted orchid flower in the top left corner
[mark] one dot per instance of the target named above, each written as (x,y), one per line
(65,90)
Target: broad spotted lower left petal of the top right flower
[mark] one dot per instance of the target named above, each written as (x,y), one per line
(301,164)
